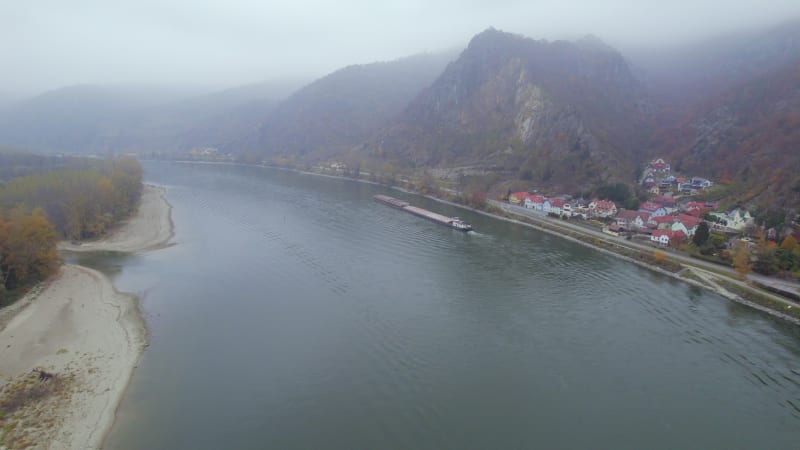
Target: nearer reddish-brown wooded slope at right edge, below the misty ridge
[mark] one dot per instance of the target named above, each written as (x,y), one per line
(745,137)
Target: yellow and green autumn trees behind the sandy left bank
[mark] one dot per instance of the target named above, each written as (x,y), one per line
(36,211)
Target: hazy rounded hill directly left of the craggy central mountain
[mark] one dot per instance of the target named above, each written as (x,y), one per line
(342,110)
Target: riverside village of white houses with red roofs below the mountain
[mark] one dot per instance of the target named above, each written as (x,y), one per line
(670,217)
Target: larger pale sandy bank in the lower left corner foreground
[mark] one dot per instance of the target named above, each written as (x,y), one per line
(80,328)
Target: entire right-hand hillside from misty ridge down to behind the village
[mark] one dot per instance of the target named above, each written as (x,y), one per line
(729,109)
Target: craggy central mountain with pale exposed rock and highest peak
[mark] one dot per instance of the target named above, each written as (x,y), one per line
(566,113)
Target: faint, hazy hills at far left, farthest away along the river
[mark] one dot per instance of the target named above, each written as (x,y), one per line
(97,119)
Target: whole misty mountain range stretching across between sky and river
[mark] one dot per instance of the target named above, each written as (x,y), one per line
(566,115)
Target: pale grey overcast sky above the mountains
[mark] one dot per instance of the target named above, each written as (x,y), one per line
(46,44)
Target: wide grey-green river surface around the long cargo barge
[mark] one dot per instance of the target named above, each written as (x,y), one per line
(294,312)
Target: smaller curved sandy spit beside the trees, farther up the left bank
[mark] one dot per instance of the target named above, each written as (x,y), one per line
(149,229)
